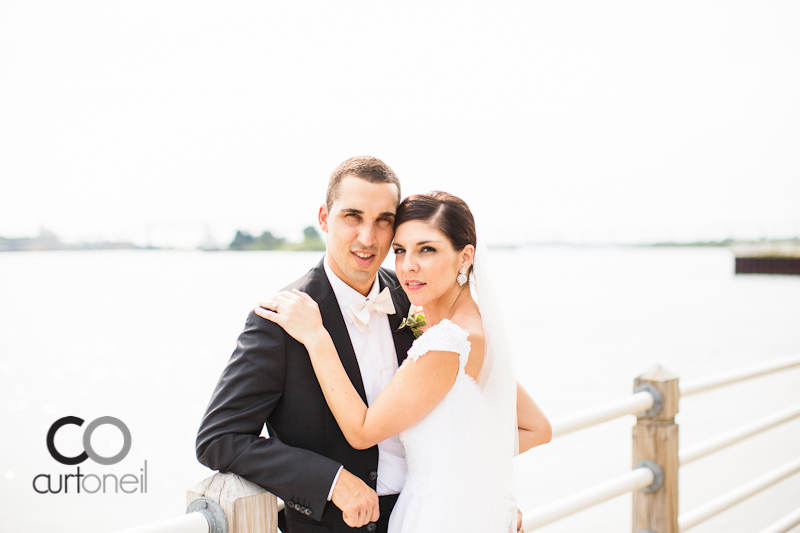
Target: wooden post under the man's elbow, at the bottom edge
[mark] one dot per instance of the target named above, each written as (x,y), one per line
(248,508)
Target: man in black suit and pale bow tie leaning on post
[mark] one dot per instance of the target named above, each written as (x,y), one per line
(325,483)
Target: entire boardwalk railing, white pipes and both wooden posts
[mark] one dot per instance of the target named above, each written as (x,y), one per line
(227,503)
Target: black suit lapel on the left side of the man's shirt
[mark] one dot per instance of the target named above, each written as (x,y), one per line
(334,322)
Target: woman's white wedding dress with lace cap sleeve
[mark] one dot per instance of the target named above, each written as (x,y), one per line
(445,488)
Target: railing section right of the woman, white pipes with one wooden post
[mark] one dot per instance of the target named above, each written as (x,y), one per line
(653,480)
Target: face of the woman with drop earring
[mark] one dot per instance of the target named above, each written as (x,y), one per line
(426,262)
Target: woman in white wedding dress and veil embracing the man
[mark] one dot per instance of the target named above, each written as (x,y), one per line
(455,402)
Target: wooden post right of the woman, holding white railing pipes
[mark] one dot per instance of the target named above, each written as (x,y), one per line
(655,438)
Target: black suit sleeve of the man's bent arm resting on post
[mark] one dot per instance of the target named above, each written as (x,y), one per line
(246,394)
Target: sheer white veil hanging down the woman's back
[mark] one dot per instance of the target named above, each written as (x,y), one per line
(498,384)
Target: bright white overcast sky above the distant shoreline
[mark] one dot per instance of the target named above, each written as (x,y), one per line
(583,121)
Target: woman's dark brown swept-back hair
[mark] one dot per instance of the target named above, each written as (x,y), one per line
(446,213)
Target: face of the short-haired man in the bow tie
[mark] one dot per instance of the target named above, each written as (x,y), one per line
(360,230)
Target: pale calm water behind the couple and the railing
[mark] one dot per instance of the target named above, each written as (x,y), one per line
(143,336)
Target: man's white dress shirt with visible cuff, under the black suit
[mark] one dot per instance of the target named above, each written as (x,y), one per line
(377,361)
